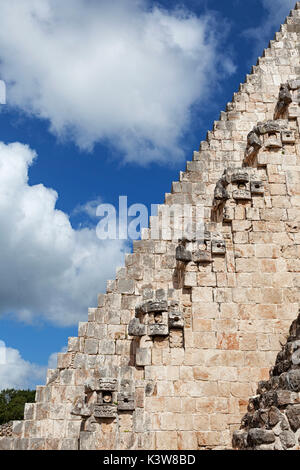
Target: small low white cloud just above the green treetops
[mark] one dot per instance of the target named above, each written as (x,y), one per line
(16,372)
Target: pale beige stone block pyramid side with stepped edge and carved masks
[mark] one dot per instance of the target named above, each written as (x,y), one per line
(191,324)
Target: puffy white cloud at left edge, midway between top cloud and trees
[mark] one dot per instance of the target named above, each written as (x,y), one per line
(47,268)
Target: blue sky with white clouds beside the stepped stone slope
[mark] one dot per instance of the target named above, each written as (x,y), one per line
(113,99)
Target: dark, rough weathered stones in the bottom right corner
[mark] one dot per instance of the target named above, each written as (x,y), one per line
(273,417)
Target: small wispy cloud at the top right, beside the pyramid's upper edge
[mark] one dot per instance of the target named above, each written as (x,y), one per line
(276,12)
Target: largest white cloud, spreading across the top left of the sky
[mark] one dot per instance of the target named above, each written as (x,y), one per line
(117,72)
